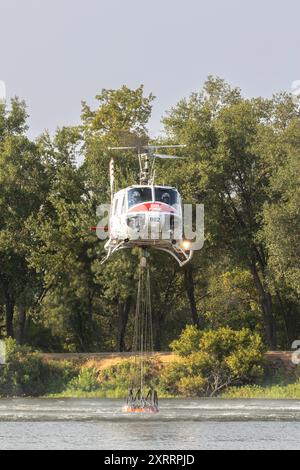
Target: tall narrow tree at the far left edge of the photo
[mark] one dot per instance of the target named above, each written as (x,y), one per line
(22,187)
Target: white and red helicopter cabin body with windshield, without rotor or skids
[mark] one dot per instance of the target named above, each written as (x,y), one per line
(144,215)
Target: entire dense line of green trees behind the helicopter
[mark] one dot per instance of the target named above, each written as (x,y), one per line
(242,161)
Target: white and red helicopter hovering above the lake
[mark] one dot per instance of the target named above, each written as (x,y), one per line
(147,215)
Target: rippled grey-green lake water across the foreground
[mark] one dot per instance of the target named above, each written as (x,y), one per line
(181,424)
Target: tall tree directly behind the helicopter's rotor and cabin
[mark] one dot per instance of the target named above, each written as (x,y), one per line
(120,119)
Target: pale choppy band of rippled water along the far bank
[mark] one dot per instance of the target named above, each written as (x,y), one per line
(96,410)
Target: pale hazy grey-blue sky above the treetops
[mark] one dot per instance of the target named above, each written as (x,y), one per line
(55,53)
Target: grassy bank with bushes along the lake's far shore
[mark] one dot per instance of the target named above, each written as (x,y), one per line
(198,368)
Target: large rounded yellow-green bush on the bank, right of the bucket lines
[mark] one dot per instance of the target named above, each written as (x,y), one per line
(214,360)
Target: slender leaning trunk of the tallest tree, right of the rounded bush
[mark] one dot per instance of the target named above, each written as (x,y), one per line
(267,308)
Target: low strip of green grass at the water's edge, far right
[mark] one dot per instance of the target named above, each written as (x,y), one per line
(276,392)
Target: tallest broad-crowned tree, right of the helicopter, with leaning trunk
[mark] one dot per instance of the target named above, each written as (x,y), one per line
(234,144)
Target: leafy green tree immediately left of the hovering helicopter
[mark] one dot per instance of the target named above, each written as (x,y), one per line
(62,250)
